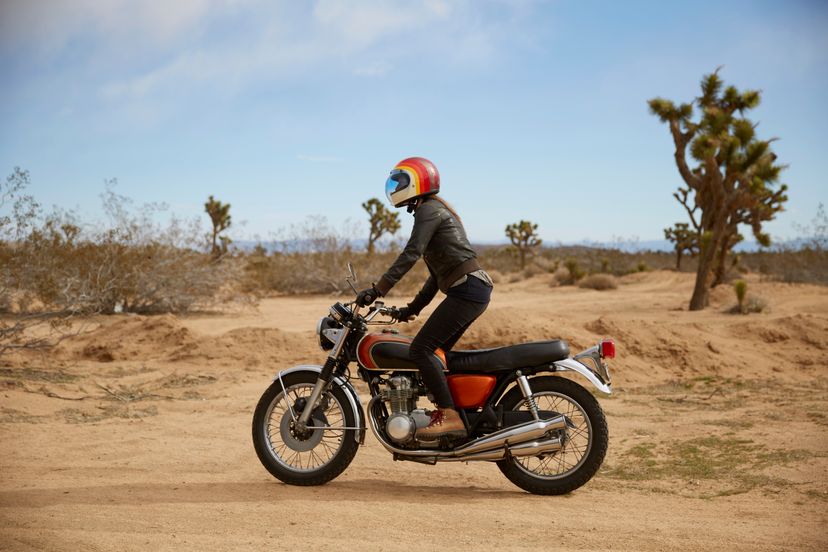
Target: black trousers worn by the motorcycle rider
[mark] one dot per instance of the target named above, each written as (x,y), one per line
(443,328)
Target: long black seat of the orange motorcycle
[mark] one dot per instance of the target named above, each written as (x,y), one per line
(525,355)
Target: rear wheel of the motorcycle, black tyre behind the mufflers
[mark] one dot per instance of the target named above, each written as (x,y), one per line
(584,442)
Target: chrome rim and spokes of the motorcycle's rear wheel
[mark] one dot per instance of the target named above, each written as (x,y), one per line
(578,442)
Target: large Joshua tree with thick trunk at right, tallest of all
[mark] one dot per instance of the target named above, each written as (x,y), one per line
(735,177)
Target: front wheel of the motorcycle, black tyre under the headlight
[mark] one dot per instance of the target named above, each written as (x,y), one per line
(304,457)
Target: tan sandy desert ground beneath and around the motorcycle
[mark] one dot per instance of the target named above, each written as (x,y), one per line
(136,434)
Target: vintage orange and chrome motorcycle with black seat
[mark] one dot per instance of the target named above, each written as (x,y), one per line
(546,433)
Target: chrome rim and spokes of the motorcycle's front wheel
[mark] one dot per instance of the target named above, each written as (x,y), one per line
(303,451)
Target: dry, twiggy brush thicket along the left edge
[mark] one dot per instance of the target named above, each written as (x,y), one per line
(130,263)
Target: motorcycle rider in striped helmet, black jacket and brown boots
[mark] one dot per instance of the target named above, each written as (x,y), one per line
(439,237)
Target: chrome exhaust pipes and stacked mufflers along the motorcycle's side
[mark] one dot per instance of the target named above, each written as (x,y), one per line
(490,447)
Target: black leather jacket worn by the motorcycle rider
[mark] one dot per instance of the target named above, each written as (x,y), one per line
(440,239)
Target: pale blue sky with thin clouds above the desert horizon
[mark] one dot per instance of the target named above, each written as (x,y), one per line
(285,108)
